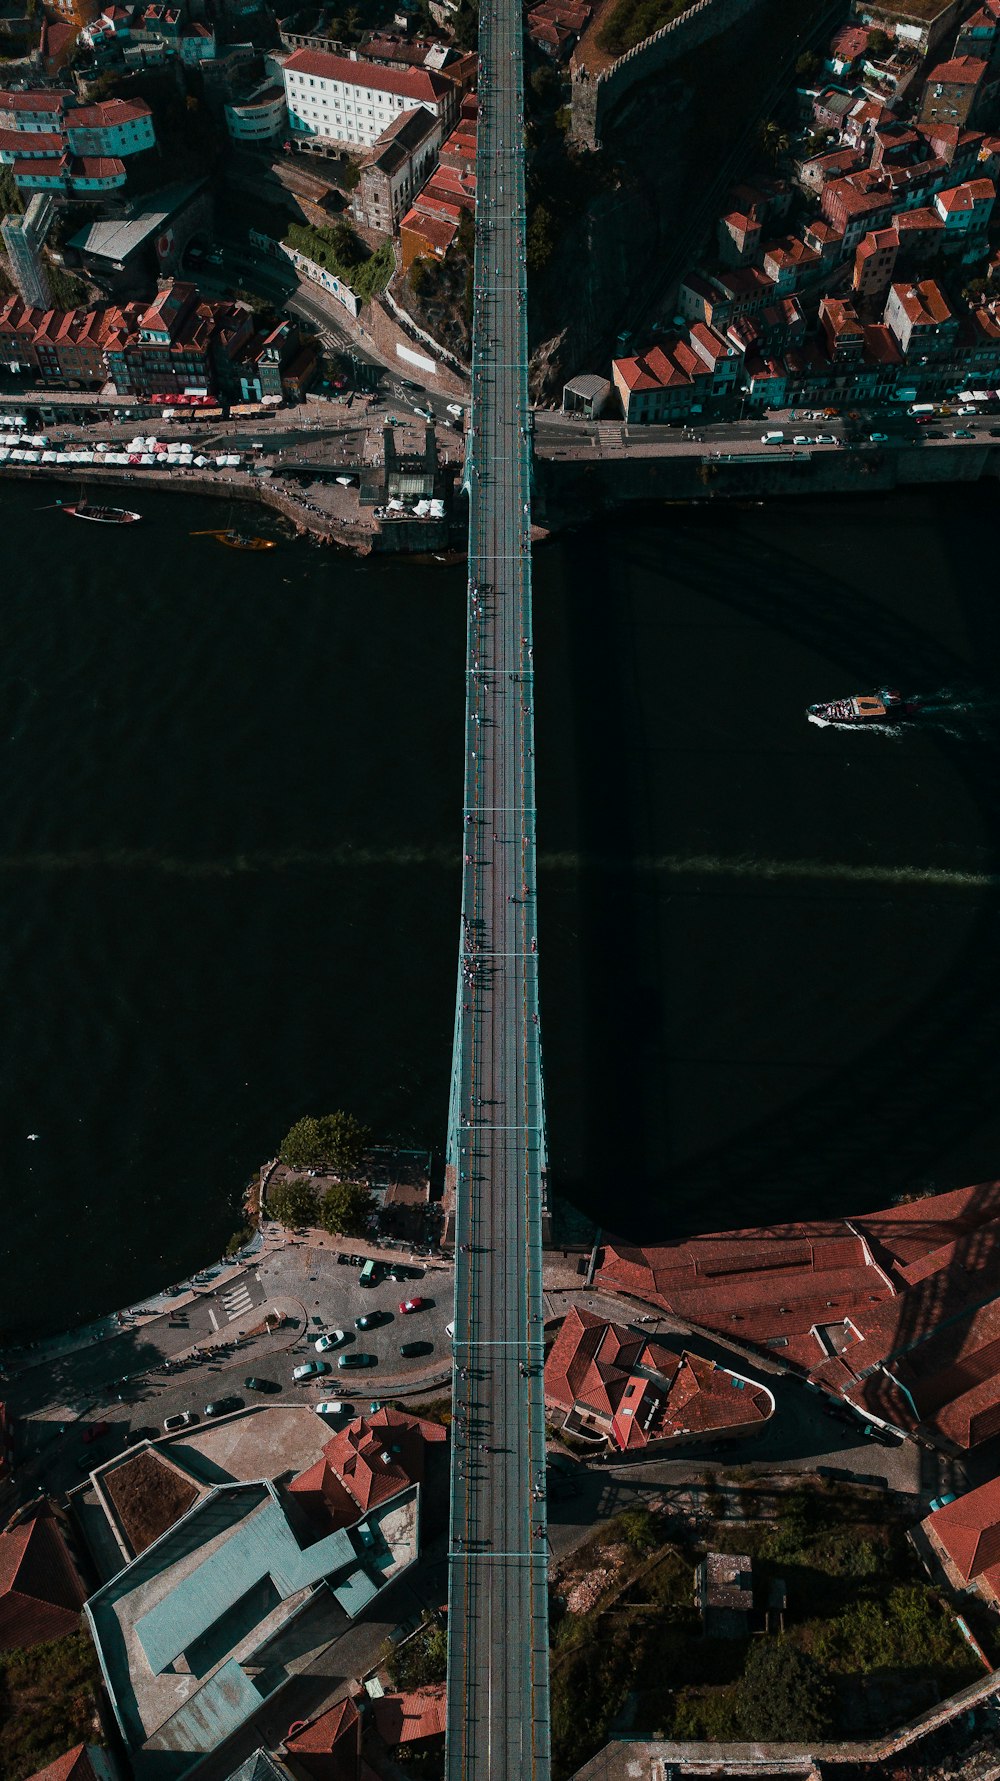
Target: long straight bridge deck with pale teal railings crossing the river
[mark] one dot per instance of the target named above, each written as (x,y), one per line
(498,1634)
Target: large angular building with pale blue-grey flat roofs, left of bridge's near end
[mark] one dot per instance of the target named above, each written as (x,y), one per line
(199,1632)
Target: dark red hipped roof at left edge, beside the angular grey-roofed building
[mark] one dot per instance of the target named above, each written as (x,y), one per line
(40,1591)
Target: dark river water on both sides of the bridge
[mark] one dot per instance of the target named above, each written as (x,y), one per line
(229,870)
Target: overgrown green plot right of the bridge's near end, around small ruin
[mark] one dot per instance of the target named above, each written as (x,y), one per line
(865,1639)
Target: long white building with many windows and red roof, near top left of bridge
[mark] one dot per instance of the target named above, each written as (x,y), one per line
(341,99)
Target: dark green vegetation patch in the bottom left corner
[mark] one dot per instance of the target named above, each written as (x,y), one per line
(47,1704)
